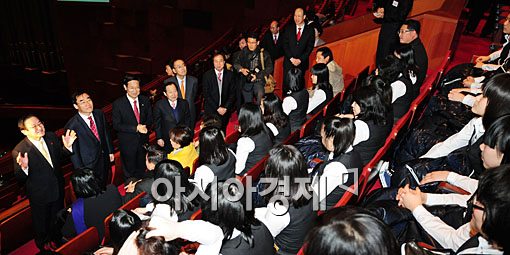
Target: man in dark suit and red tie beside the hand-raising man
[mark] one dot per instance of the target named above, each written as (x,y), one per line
(94,148)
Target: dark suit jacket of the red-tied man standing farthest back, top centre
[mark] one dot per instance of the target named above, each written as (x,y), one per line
(301,49)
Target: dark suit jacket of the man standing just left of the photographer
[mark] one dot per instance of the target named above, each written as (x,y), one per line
(211,91)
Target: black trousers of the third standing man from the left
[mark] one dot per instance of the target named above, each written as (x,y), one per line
(133,159)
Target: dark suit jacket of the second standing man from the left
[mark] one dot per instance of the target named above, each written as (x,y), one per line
(87,149)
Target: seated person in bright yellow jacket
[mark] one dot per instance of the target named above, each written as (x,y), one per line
(184,151)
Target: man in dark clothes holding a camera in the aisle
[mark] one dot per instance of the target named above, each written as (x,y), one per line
(250,66)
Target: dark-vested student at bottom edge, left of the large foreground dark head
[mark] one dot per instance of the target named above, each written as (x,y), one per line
(243,234)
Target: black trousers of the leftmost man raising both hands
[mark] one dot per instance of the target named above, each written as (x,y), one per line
(43,220)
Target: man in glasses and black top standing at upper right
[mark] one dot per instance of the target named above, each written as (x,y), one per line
(409,33)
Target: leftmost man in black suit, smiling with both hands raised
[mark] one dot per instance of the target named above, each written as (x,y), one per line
(38,168)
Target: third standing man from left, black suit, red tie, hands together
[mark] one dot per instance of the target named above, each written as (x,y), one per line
(132,118)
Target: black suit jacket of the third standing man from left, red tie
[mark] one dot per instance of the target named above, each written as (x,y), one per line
(124,120)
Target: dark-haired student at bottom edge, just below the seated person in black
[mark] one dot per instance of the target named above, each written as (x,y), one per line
(123,223)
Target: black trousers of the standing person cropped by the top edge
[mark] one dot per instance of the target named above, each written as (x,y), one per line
(388,41)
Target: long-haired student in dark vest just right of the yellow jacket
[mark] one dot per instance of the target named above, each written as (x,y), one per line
(214,159)
